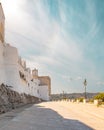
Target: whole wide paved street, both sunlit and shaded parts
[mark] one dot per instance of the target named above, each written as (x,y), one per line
(54,116)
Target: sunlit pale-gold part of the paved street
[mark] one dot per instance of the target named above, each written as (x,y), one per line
(89,114)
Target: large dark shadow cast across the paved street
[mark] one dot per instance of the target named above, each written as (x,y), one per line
(37,117)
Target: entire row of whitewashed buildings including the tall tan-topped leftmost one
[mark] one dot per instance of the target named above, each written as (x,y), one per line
(13,70)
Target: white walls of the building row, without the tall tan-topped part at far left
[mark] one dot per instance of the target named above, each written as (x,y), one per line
(9,74)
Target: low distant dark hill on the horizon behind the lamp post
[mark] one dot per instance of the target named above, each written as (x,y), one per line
(72,95)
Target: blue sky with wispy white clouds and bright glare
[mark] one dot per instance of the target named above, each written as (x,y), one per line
(63,39)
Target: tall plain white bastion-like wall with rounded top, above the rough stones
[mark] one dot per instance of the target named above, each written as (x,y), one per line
(11,67)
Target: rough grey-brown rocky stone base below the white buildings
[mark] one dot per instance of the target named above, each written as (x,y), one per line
(10,99)
